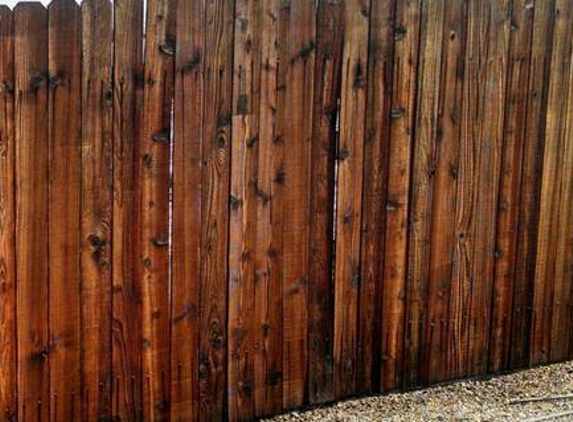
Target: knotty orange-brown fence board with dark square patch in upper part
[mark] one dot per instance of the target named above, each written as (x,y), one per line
(245,196)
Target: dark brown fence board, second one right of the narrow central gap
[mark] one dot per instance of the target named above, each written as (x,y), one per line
(375,179)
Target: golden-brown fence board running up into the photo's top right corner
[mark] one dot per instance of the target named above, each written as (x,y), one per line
(546,285)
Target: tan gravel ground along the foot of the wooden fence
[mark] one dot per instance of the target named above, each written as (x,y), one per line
(494,399)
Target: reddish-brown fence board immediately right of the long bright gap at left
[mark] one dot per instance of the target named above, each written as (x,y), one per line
(187,217)
